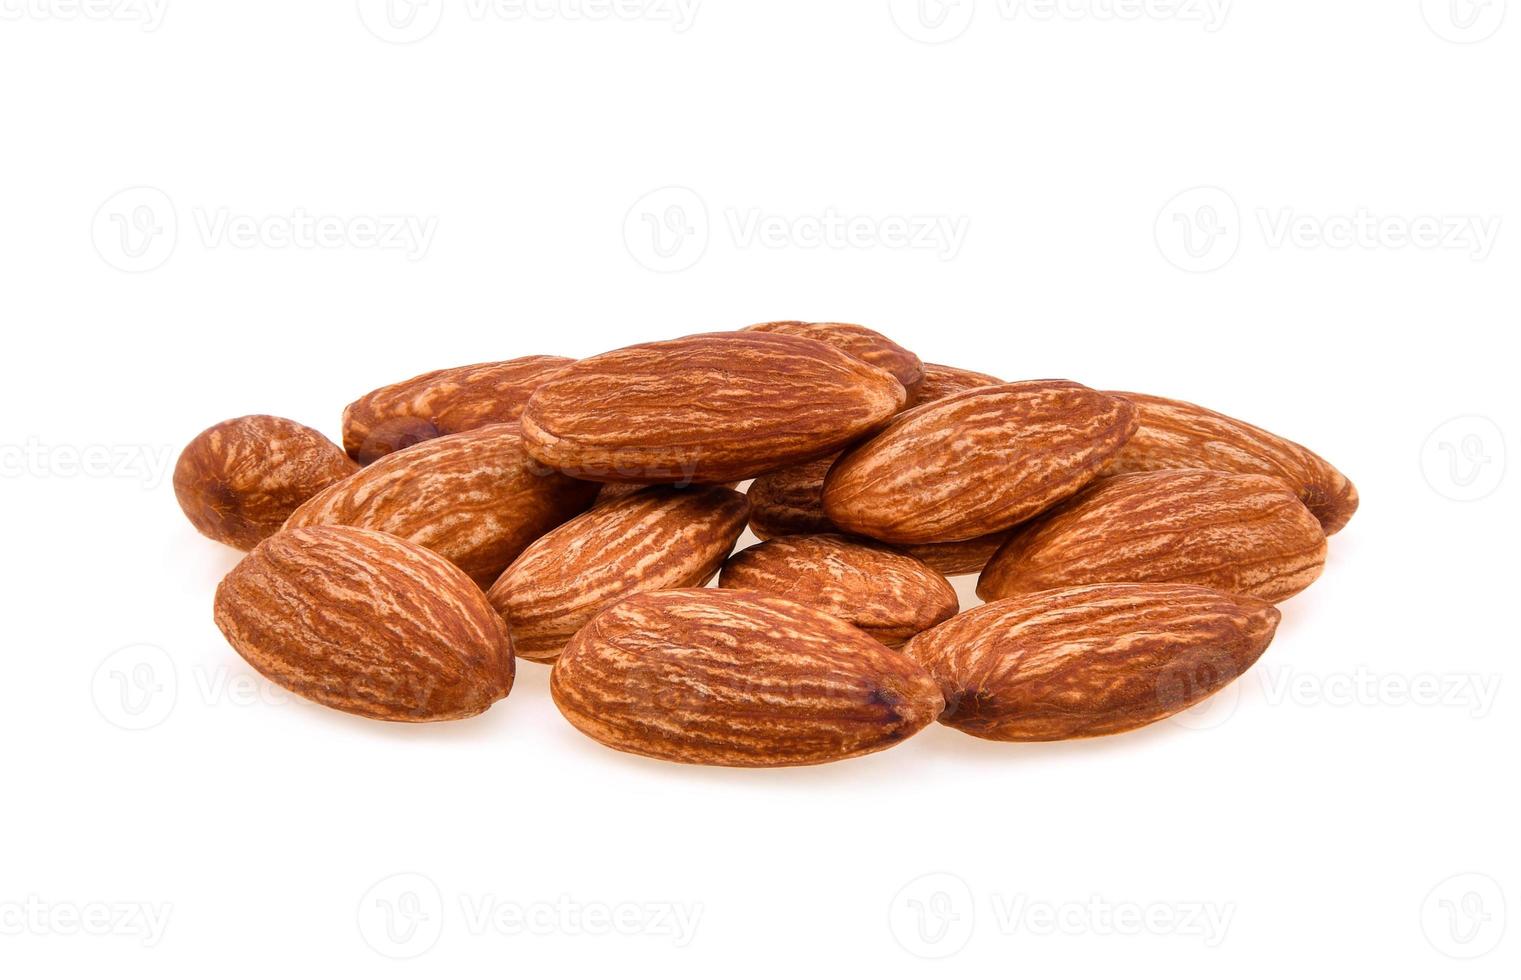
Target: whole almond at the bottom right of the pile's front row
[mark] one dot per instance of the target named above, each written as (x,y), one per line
(1091,661)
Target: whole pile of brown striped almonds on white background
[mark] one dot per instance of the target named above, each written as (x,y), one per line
(1131,549)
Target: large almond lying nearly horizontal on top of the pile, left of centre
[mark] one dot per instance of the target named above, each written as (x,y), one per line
(710,409)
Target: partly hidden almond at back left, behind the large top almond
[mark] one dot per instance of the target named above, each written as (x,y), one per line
(442,404)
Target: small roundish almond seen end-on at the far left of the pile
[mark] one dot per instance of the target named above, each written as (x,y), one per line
(240,480)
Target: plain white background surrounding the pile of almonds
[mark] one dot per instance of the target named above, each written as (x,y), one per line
(1310,819)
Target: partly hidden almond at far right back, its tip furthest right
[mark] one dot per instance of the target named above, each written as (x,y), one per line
(1176,436)
